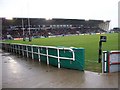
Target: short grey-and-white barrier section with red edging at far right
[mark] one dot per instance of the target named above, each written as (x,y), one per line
(110,61)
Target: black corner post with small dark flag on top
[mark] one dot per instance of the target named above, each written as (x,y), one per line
(102,39)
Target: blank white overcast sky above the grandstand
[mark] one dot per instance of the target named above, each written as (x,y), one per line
(74,9)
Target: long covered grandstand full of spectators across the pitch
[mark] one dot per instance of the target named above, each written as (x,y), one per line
(40,27)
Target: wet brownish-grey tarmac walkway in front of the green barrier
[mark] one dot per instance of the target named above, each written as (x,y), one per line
(19,72)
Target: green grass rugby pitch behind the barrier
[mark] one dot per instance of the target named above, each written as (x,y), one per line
(89,42)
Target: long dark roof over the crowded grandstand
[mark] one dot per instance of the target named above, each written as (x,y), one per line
(53,21)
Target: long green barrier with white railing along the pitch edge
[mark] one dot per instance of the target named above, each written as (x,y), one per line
(57,56)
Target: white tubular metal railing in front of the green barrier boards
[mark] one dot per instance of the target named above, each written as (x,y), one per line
(23,48)
